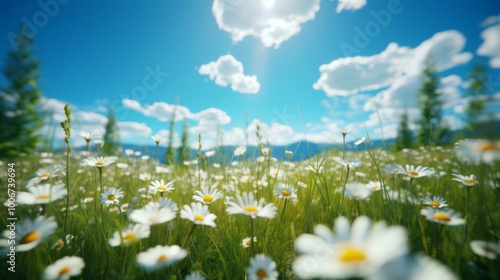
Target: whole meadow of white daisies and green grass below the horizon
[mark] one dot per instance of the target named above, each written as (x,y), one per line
(429,213)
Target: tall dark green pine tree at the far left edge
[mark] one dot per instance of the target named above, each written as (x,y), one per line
(20,102)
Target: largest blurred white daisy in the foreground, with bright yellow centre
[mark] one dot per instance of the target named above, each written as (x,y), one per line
(348,252)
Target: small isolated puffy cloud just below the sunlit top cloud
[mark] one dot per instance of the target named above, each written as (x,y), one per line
(229,71)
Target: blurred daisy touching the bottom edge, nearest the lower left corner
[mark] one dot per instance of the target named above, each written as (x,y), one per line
(64,268)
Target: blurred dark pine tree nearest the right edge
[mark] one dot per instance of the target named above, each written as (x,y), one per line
(477,94)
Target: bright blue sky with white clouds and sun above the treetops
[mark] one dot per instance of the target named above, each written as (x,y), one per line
(297,68)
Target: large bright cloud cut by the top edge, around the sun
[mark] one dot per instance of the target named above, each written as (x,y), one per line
(270,21)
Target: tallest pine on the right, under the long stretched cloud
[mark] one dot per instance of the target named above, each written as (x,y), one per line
(432,130)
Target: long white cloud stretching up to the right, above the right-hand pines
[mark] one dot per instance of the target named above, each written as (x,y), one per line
(350,75)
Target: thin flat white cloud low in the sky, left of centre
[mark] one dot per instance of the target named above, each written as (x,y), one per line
(159,110)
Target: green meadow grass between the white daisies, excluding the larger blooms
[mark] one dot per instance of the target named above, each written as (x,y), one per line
(217,252)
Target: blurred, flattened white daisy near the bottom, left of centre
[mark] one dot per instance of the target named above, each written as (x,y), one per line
(160,256)
